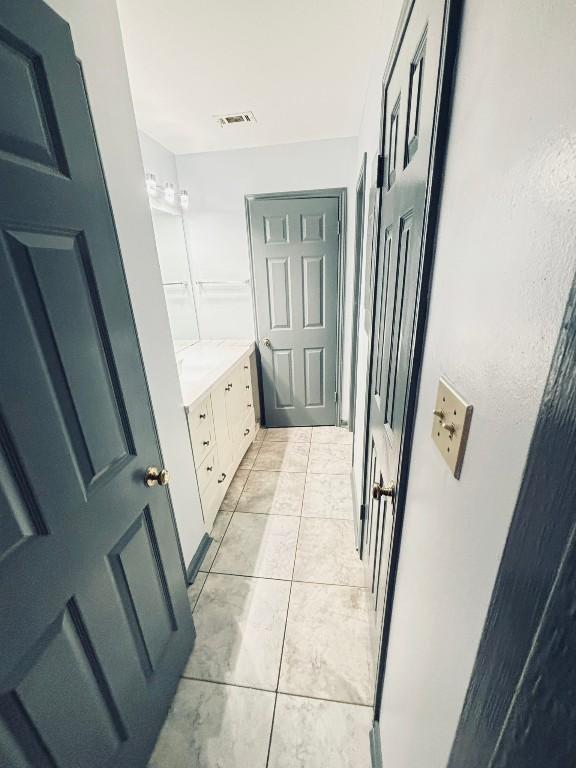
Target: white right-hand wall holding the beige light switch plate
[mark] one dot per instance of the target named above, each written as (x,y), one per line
(504,262)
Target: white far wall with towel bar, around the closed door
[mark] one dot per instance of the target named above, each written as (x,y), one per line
(216,219)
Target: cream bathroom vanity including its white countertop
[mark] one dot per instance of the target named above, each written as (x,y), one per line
(218,384)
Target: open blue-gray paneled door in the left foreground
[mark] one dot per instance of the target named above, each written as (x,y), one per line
(94,622)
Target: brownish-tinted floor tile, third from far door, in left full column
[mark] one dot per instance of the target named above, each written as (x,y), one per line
(273,493)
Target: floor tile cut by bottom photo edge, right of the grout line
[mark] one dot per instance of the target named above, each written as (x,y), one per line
(308,733)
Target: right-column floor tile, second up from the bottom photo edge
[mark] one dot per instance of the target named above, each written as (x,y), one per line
(327,651)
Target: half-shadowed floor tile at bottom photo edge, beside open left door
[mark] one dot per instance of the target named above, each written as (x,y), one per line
(215,726)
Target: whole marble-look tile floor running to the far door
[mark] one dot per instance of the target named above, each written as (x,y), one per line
(281,674)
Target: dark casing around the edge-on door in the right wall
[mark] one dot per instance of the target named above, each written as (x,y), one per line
(440,135)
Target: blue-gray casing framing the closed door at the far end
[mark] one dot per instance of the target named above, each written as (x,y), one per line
(340,194)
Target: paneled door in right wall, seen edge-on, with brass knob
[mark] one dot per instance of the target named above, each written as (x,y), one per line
(409,98)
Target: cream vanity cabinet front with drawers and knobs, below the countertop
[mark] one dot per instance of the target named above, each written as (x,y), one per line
(222,427)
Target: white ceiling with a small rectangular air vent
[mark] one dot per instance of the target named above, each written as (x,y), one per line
(302,67)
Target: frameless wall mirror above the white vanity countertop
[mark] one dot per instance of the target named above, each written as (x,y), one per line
(176,277)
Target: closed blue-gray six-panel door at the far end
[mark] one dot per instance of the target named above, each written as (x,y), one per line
(295,251)
